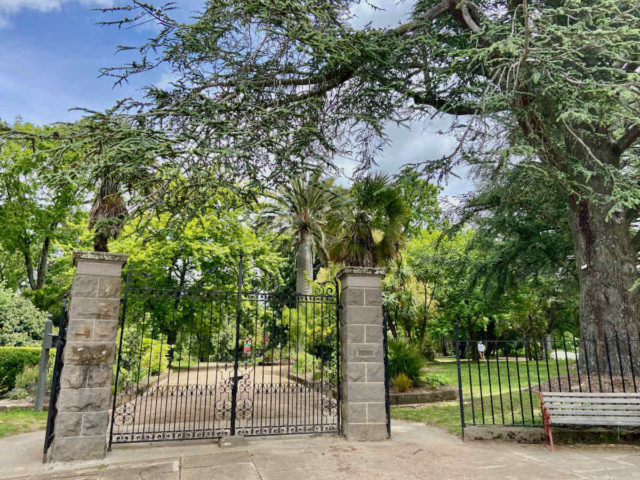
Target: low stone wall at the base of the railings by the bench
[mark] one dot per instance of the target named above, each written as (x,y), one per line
(583,435)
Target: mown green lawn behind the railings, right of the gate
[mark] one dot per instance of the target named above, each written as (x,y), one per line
(504,395)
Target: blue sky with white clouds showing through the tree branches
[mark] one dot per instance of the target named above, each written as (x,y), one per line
(51,52)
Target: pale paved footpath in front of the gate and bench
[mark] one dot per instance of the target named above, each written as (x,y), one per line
(416,452)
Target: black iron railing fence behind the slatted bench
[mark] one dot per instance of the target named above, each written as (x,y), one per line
(499,380)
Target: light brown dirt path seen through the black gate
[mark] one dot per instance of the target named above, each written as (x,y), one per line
(197,403)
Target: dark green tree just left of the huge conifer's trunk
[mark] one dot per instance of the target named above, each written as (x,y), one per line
(522,232)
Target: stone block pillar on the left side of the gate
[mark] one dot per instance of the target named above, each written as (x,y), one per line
(85,383)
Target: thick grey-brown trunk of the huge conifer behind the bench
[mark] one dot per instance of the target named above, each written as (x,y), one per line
(606,265)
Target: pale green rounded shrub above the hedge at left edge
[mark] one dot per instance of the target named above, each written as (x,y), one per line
(21,323)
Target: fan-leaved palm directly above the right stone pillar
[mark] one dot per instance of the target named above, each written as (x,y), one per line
(371,230)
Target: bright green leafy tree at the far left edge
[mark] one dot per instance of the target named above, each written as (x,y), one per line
(37,211)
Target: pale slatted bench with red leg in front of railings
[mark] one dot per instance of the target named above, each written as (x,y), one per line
(591,409)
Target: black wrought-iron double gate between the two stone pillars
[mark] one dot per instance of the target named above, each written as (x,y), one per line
(204,362)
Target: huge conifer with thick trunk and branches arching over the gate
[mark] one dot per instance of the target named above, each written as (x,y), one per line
(552,85)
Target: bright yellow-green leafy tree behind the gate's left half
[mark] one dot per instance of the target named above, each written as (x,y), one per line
(200,255)
